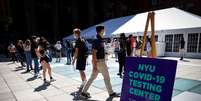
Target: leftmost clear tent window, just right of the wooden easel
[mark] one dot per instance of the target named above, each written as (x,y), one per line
(168,40)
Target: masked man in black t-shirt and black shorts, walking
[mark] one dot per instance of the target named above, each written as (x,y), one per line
(80,55)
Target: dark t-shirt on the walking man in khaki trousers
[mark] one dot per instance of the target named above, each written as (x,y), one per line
(98,45)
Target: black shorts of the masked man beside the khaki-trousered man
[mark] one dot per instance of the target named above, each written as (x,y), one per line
(81,64)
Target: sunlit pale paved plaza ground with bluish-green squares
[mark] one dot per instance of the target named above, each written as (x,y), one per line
(16,85)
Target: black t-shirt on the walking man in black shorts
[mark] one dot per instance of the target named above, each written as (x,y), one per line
(79,44)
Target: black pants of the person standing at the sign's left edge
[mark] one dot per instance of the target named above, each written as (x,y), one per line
(121,58)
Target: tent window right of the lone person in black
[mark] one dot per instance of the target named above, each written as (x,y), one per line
(192,42)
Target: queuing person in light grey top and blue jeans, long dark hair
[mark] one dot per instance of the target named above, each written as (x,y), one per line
(27,50)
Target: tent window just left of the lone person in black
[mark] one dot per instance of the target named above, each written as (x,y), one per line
(177,38)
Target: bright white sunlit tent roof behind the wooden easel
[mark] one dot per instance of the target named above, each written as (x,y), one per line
(165,19)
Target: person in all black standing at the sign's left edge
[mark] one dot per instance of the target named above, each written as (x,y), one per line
(122,53)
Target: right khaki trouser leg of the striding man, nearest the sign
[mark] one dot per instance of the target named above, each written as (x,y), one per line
(102,67)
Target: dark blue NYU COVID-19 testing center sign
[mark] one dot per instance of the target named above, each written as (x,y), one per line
(148,79)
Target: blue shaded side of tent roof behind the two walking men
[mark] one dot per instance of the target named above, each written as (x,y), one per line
(110,27)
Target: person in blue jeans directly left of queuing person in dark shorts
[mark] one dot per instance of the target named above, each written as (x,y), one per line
(34,52)
